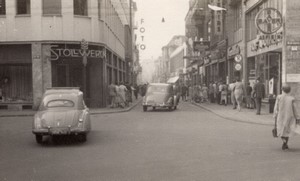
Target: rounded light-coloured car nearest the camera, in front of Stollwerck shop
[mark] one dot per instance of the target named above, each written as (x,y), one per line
(62,111)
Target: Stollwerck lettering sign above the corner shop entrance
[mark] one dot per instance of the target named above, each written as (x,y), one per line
(57,52)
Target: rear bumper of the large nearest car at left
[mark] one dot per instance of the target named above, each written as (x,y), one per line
(60,131)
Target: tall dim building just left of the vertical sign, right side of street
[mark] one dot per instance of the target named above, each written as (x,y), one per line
(198,31)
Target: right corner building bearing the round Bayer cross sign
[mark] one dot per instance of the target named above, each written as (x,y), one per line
(273,48)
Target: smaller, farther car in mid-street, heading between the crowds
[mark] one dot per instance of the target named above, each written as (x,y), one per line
(159,95)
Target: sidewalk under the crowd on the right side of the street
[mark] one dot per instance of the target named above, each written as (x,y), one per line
(245,115)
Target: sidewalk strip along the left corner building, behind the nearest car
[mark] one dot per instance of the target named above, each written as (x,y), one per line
(93,111)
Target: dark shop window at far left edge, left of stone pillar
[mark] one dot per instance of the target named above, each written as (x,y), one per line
(16,77)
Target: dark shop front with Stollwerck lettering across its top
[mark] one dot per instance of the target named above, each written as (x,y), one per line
(76,65)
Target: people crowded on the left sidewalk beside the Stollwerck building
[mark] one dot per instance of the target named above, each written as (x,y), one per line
(120,95)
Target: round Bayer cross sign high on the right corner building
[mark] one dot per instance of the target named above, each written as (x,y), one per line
(268,20)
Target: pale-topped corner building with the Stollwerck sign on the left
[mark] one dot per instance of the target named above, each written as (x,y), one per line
(62,43)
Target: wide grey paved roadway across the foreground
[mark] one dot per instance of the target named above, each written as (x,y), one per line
(186,144)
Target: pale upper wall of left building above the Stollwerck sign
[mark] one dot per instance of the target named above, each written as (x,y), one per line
(64,27)
